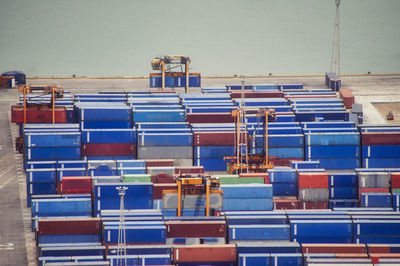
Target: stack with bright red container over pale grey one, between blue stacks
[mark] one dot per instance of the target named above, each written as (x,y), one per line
(313,190)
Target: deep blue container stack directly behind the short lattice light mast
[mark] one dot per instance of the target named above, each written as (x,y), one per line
(137,196)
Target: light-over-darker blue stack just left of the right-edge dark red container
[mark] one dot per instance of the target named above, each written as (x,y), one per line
(335,147)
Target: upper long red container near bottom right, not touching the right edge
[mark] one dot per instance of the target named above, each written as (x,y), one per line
(334,248)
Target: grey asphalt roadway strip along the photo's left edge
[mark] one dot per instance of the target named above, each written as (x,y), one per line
(12,206)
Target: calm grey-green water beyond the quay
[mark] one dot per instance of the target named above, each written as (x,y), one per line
(224,37)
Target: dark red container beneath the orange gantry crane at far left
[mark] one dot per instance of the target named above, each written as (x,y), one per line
(38,114)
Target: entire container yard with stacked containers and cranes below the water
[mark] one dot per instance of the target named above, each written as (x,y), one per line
(224,171)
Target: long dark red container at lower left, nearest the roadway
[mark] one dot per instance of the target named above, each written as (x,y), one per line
(70,226)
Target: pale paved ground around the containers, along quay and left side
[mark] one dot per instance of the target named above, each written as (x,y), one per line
(16,240)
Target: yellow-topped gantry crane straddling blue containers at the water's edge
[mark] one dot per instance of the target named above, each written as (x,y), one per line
(164,64)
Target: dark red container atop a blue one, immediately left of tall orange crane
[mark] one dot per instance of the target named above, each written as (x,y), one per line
(225,138)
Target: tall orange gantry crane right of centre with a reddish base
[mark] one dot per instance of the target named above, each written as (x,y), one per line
(243,160)
